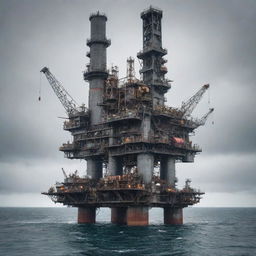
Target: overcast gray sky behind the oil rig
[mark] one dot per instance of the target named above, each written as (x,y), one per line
(207,41)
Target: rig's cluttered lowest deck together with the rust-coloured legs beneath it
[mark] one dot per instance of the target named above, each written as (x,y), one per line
(128,197)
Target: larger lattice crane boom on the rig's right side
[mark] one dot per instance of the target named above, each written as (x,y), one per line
(188,107)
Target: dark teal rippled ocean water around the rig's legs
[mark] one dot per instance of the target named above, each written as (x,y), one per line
(53,231)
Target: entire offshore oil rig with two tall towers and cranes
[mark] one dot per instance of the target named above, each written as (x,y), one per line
(130,139)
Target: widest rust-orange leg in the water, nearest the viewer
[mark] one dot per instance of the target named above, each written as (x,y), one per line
(137,216)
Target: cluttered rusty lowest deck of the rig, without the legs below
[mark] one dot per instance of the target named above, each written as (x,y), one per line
(123,190)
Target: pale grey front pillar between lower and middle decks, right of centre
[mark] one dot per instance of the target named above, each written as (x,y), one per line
(145,164)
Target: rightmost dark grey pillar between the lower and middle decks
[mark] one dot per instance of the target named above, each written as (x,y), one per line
(167,170)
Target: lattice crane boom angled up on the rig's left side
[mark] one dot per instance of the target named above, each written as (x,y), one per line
(65,98)
